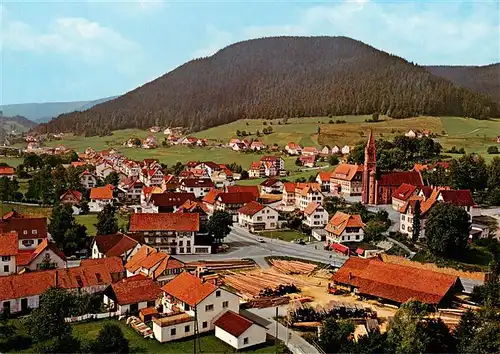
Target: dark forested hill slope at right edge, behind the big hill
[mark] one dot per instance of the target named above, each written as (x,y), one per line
(484,79)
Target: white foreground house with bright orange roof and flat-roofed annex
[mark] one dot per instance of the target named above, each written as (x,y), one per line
(187,298)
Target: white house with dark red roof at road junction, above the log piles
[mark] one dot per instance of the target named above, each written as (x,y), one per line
(257,217)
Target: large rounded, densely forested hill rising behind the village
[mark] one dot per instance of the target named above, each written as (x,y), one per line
(279,77)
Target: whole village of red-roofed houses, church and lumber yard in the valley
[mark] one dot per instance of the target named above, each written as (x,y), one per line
(202,253)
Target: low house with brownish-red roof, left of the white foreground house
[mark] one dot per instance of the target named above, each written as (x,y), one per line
(132,294)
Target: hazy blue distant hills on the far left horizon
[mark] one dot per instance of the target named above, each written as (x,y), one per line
(44,112)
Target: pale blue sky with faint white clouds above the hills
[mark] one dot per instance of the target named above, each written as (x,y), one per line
(69,50)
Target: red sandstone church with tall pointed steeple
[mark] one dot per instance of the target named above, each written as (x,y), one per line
(378,189)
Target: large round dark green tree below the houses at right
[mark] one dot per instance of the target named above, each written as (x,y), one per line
(447,230)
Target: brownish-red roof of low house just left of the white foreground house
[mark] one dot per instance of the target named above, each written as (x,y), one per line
(135,289)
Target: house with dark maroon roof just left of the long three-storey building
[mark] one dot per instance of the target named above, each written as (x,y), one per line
(115,245)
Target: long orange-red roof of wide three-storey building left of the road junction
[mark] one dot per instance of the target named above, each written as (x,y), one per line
(164,222)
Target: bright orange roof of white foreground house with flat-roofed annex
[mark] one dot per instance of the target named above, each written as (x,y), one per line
(188,288)
